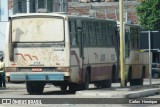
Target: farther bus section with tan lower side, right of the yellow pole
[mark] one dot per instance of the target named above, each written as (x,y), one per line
(136,63)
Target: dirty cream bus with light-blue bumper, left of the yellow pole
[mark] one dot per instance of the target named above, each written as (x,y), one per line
(67,51)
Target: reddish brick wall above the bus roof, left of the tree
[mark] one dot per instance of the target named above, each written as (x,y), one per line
(108,10)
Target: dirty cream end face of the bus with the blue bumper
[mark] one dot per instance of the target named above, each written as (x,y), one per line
(32,53)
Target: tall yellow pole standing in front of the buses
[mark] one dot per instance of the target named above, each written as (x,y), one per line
(122,66)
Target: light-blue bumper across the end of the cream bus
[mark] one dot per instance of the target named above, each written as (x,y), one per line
(38,76)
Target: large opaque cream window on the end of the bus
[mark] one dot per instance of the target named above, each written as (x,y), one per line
(36,29)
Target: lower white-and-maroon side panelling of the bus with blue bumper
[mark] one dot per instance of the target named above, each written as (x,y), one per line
(101,61)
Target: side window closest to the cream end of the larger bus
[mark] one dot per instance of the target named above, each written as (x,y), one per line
(73,34)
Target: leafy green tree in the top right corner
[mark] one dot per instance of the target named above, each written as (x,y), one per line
(149,14)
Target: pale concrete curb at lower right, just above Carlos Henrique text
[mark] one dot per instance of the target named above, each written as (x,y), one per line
(143,93)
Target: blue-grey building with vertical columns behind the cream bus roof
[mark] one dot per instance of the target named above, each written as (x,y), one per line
(32,6)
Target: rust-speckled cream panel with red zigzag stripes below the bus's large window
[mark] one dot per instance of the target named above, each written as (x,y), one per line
(40,56)
